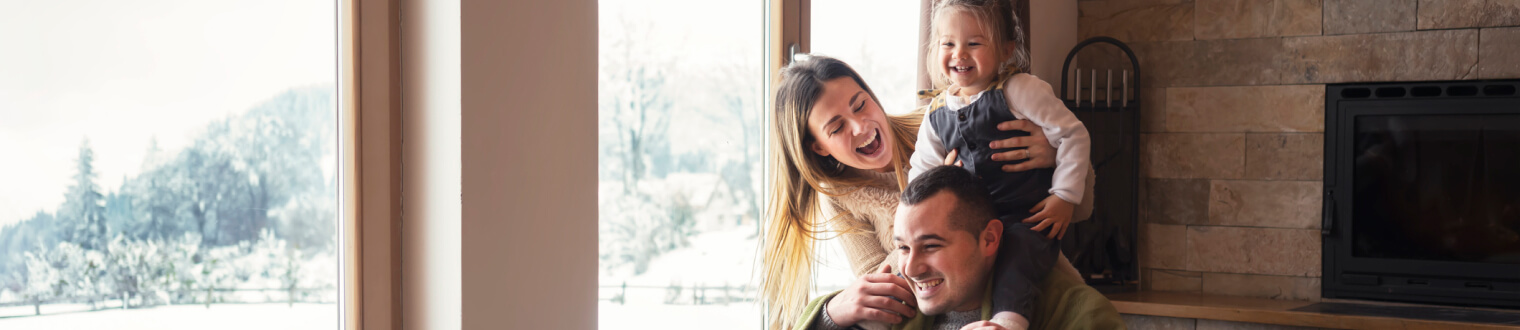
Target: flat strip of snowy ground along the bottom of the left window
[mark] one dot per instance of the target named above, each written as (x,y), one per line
(221,317)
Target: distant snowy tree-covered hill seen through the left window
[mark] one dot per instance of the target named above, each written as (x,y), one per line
(268,168)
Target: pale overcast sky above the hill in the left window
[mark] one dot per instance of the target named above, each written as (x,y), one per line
(124,72)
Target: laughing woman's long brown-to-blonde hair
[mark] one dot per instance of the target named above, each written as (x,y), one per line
(799,176)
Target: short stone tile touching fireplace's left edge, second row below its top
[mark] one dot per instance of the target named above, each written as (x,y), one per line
(1285,156)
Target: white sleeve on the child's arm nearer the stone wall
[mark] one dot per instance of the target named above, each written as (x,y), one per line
(1031,98)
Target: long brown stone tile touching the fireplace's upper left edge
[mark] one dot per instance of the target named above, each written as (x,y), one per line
(1278,109)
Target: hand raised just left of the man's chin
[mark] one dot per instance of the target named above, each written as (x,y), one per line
(870,299)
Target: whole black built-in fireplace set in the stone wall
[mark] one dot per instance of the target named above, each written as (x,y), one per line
(1423,192)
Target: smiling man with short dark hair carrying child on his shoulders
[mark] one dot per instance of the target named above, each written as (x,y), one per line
(948,241)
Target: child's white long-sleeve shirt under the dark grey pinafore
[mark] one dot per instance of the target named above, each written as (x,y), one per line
(1028,98)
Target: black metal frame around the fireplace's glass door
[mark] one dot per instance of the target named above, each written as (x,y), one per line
(1399,279)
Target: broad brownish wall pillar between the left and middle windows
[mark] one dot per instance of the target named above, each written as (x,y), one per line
(530,163)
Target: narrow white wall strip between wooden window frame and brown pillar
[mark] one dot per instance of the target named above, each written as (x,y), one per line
(431,165)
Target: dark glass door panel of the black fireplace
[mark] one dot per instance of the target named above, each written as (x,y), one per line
(1437,188)
